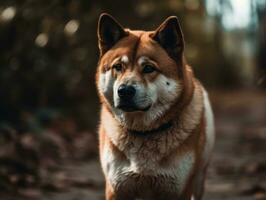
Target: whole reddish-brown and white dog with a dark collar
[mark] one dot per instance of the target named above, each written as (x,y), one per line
(156,130)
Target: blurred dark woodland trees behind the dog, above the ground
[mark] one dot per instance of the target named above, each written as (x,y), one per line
(48,50)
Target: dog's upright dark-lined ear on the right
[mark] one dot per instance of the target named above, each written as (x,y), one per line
(169,35)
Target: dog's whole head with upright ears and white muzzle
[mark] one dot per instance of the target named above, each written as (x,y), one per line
(140,73)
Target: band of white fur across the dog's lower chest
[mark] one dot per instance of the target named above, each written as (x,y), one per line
(178,171)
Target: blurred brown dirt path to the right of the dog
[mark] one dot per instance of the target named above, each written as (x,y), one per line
(238,168)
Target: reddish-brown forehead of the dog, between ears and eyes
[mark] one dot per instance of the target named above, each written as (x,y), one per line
(137,48)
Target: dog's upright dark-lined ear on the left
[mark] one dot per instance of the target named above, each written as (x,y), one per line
(109,32)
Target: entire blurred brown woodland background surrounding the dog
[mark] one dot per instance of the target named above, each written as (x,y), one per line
(49,107)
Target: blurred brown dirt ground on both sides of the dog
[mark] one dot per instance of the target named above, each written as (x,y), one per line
(238,166)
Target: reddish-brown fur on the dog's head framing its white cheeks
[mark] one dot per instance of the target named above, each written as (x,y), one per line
(151,49)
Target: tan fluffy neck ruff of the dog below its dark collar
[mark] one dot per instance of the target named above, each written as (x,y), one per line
(184,124)
